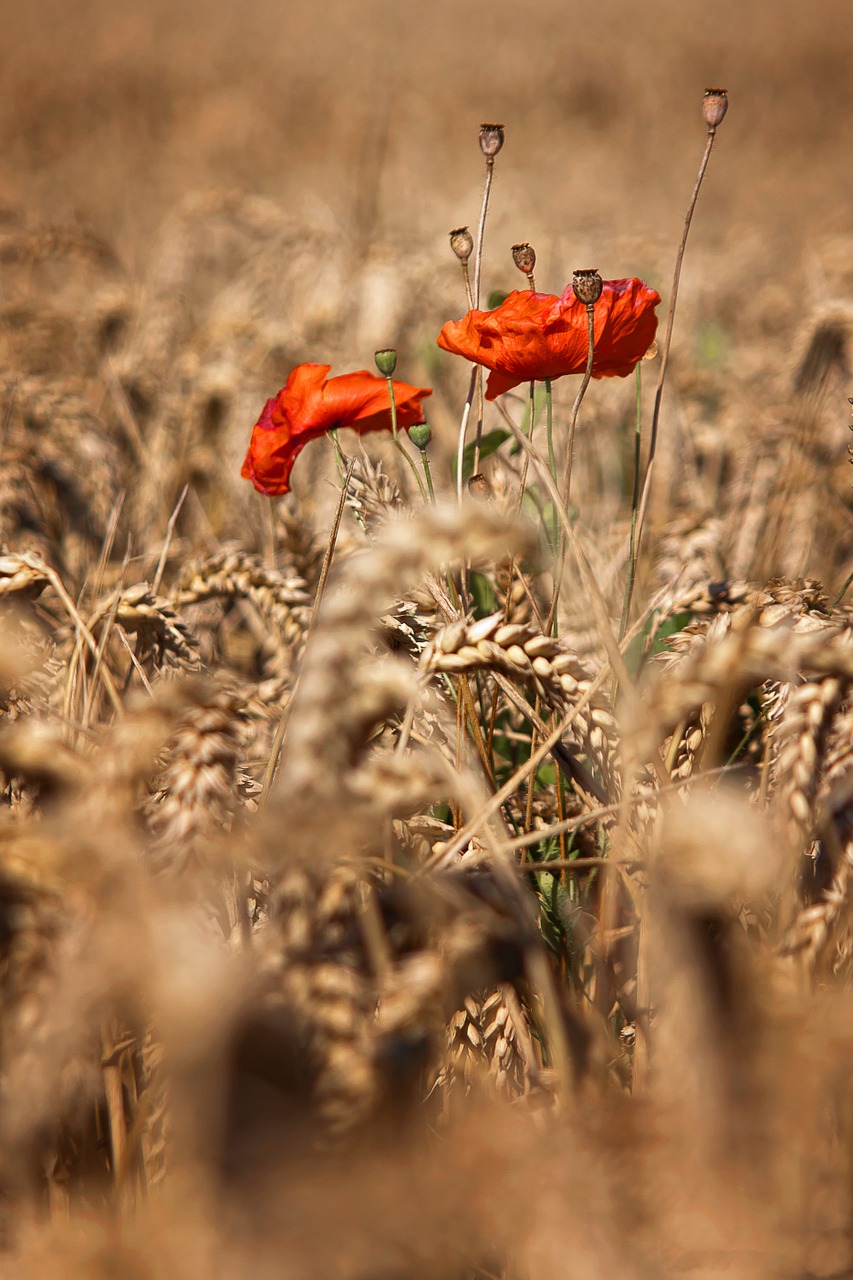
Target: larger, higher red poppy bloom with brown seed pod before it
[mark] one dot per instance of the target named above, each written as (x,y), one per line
(537,336)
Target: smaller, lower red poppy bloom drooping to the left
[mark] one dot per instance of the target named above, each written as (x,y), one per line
(313,404)
